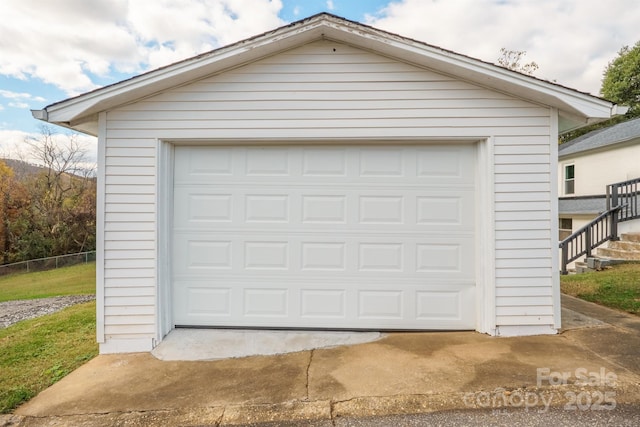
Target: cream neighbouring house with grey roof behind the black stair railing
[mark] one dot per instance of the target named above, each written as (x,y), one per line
(587,165)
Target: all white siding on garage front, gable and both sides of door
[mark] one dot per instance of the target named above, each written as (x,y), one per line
(330,91)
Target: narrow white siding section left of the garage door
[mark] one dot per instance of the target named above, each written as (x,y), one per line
(129,240)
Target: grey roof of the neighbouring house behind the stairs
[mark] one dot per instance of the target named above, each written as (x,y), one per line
(602,138)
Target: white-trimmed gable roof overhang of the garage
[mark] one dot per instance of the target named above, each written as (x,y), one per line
(575,108)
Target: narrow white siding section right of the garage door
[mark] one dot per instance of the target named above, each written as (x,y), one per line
(524,273)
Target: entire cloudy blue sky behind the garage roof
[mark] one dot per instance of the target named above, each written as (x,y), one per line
(53,50)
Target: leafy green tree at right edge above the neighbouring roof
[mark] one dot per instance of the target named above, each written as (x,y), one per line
(621,81)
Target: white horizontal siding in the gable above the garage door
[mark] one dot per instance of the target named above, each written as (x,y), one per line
(344,94)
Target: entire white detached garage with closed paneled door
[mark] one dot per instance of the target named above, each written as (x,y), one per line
(327,175)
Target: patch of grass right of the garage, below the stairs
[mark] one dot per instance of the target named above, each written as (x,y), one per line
(616,287)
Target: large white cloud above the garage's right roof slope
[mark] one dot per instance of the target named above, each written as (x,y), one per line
(571,40)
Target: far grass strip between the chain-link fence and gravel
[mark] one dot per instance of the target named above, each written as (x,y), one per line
(76,280)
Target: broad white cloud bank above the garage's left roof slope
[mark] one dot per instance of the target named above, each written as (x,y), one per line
(68,42)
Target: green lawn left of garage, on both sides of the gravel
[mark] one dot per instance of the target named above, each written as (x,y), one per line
(38,352)
